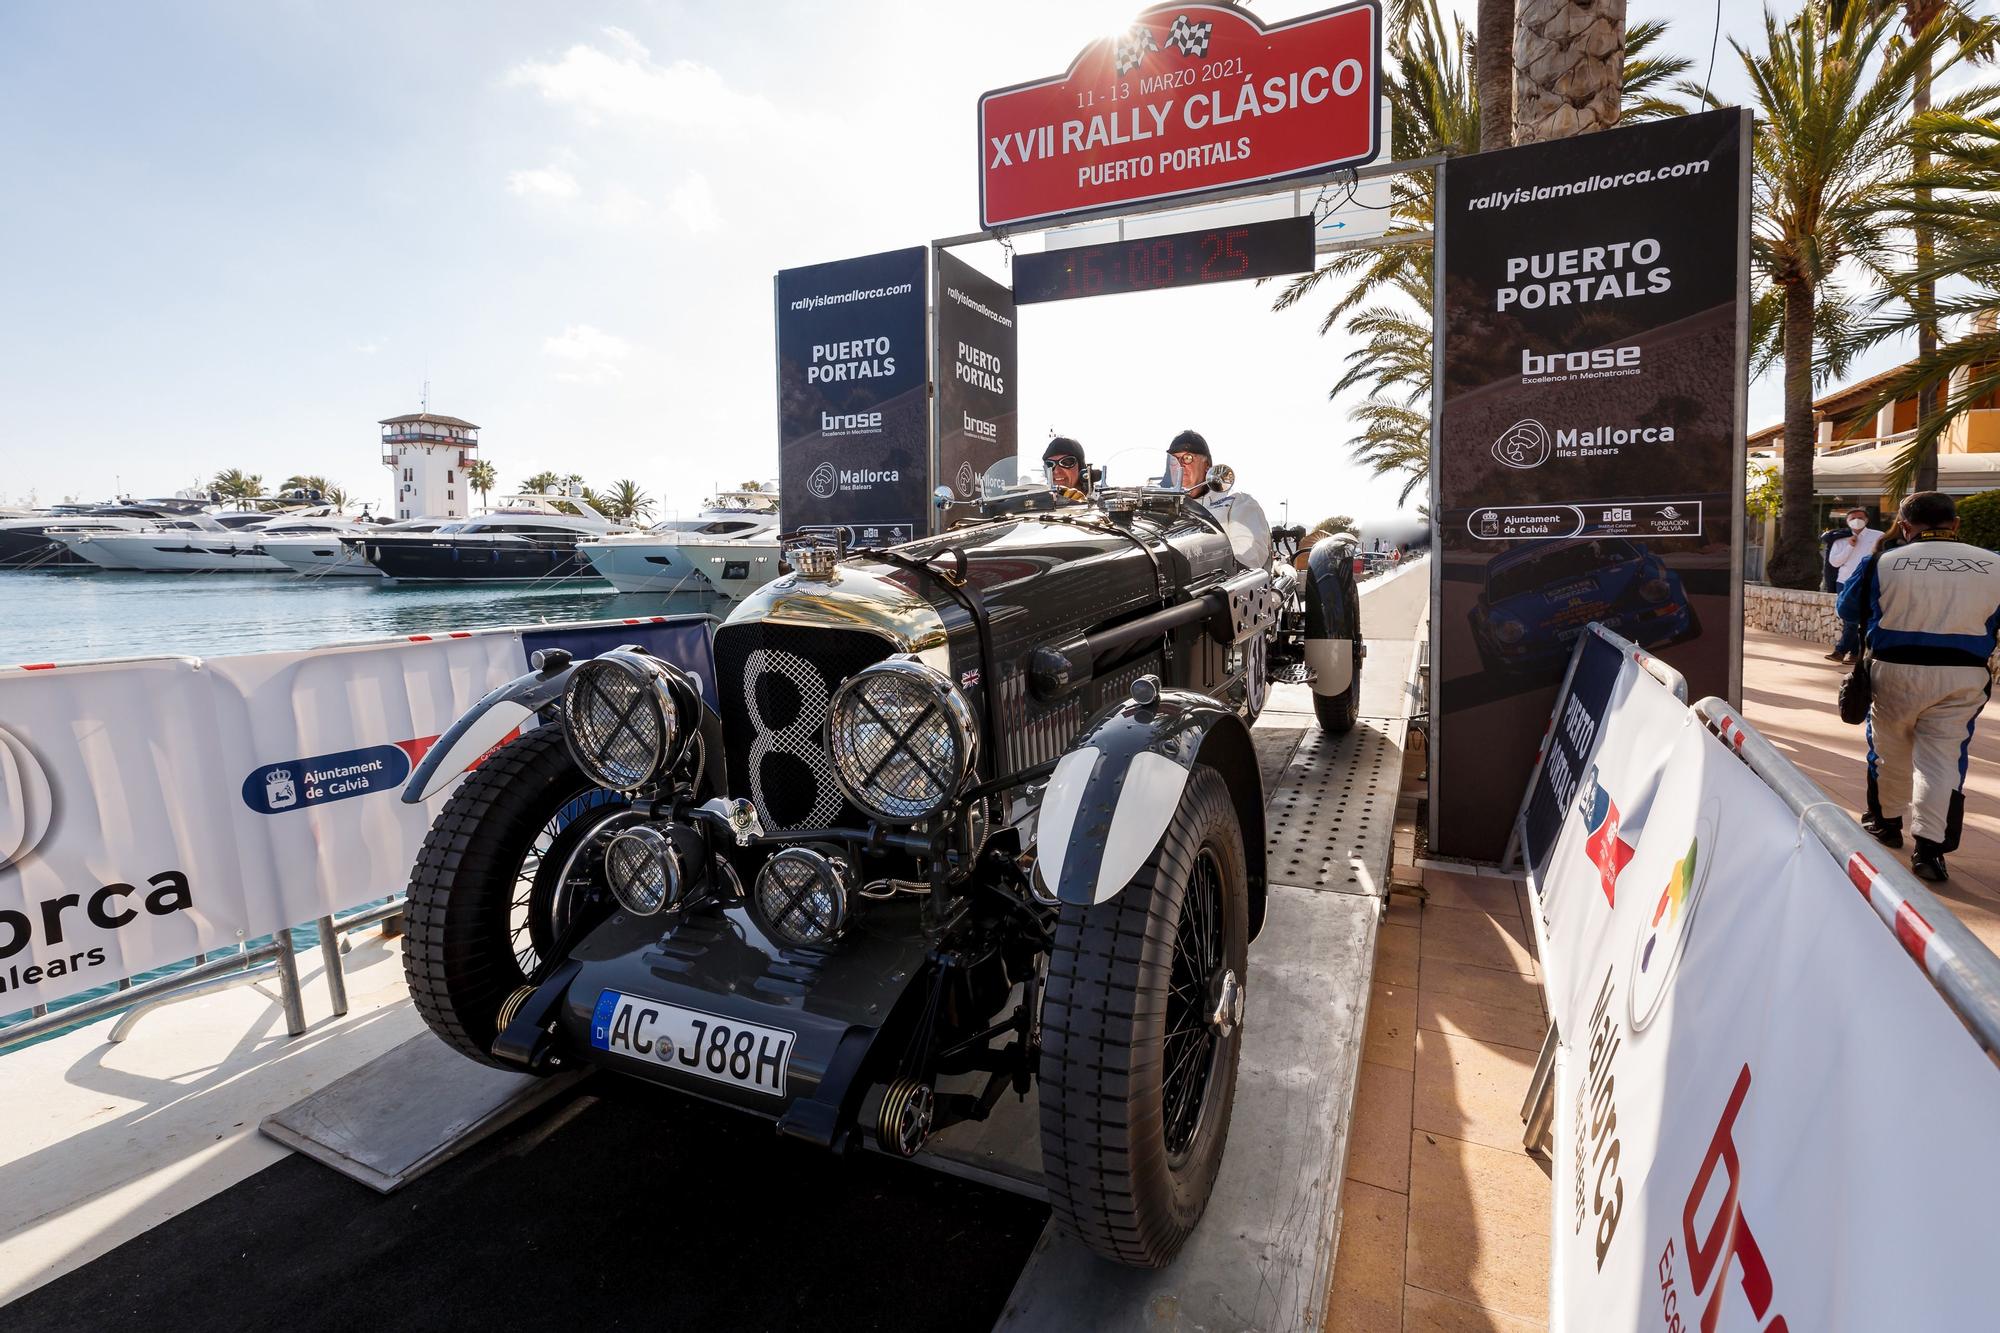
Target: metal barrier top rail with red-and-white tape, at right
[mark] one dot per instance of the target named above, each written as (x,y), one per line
(1959,966)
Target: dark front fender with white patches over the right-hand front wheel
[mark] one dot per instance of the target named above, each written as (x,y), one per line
(1117,790)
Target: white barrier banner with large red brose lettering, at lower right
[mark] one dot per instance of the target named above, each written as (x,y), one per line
(1765,1114)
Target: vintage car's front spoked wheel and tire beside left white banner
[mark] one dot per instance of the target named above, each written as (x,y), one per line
(497,882)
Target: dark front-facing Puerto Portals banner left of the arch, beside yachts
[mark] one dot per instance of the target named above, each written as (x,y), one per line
(853,397)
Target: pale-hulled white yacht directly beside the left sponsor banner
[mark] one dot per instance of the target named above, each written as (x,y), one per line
(731,549)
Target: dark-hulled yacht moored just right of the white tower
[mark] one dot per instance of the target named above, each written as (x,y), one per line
(529,539)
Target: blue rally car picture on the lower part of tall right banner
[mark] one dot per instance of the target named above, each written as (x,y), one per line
(1539,599)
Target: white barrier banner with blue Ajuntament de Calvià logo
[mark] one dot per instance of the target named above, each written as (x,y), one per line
(163,808)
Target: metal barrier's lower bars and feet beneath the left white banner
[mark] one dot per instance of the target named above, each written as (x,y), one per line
(211,976)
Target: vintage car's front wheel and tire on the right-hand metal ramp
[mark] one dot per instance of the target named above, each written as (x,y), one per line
(1135,1076)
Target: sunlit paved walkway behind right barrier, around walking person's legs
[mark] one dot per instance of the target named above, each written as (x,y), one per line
(1789,696)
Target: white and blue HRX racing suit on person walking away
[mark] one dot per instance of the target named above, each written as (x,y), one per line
(1931,611)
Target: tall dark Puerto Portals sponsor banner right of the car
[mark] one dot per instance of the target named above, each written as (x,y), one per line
(1589,433)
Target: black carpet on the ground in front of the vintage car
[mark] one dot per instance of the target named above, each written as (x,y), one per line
(635,1212)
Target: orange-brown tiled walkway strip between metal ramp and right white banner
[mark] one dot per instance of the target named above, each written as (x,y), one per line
(1445,1218)
